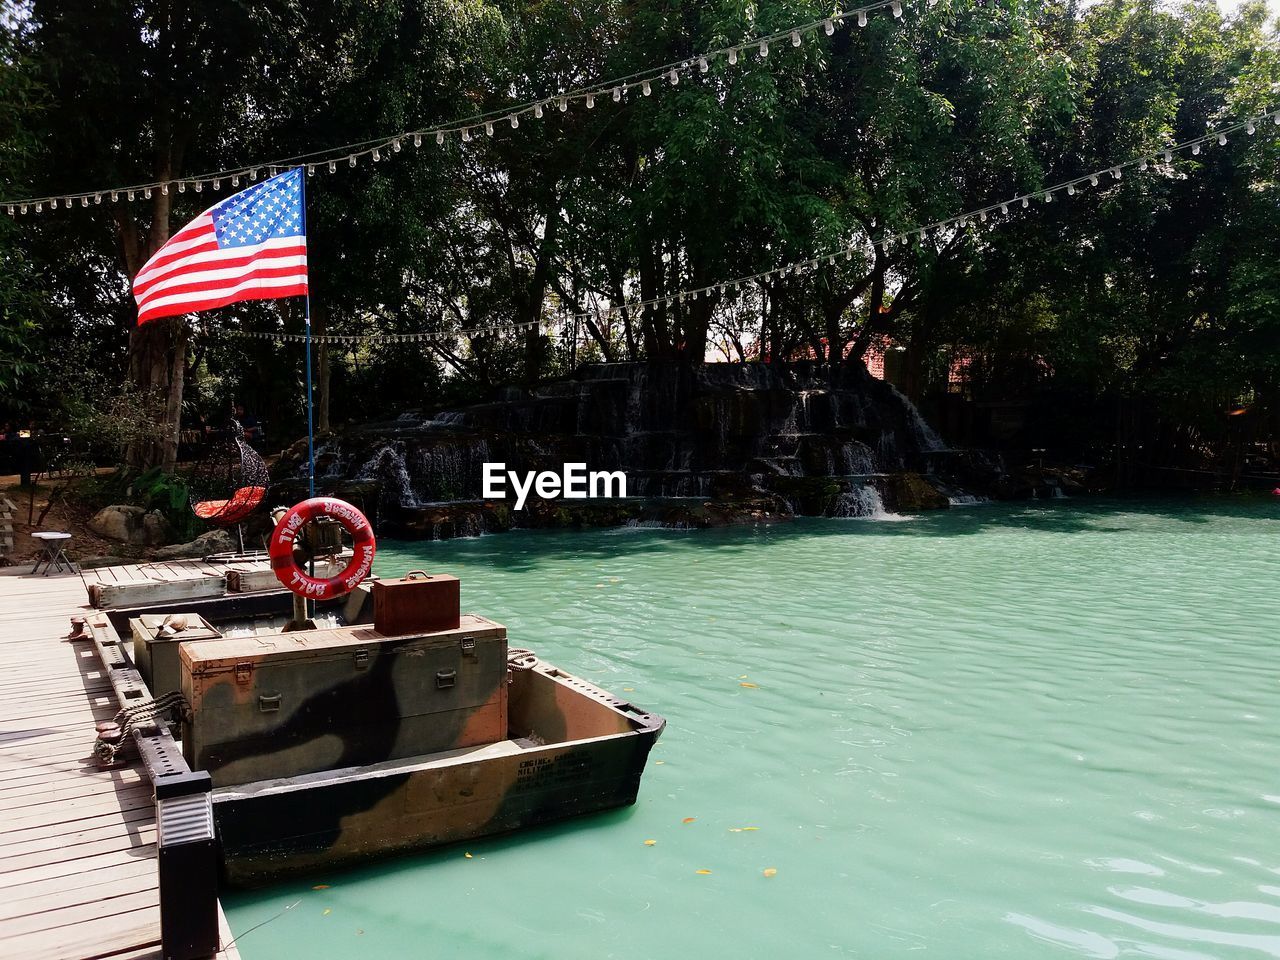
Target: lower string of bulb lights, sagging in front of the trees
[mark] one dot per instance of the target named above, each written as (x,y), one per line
(1162,159)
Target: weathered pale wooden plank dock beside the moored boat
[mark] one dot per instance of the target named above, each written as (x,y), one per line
(79,872)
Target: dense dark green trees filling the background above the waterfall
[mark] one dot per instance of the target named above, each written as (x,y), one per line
(1160,289)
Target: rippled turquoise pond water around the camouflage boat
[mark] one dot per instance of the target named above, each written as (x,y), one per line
(1027,732)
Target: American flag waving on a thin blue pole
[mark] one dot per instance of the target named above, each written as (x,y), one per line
(250,246)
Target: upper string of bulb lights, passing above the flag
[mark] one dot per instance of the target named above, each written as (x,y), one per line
(350,156)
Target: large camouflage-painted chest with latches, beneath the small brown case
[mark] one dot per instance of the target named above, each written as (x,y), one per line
(272,707)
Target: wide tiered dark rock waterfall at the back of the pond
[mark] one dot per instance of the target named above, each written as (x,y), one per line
(747,440)
